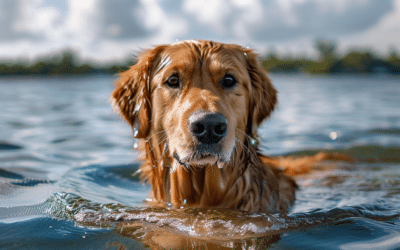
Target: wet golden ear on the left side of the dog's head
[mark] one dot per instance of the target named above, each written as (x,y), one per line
(131,97)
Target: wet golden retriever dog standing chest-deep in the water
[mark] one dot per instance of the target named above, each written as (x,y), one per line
(195,107)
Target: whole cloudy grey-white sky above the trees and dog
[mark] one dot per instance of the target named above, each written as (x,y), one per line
(111,30)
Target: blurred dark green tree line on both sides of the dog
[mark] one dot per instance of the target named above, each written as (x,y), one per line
(68,62)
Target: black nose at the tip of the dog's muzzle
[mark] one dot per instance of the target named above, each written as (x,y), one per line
(208,128)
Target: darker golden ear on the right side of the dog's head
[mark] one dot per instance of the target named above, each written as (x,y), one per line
(263,95)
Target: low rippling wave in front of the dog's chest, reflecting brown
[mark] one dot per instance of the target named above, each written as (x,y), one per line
(202,223)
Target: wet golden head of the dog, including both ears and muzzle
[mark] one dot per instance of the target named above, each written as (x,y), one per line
(198,97)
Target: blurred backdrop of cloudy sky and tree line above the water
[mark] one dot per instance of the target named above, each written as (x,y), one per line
(92,36)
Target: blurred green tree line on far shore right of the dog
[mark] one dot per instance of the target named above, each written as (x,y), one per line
(329,62)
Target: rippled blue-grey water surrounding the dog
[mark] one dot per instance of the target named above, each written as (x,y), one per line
(66,162)
